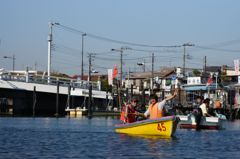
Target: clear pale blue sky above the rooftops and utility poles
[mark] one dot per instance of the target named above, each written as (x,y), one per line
(213,26)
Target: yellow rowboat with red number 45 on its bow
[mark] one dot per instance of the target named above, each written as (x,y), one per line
(165,126)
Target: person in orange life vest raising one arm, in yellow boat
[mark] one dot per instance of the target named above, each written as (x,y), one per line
(157,109)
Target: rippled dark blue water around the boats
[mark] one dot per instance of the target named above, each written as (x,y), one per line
(95,138)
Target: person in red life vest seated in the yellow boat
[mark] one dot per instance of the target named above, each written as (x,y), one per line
(128,114)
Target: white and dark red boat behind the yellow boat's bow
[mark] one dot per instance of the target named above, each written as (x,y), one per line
(189,122)
